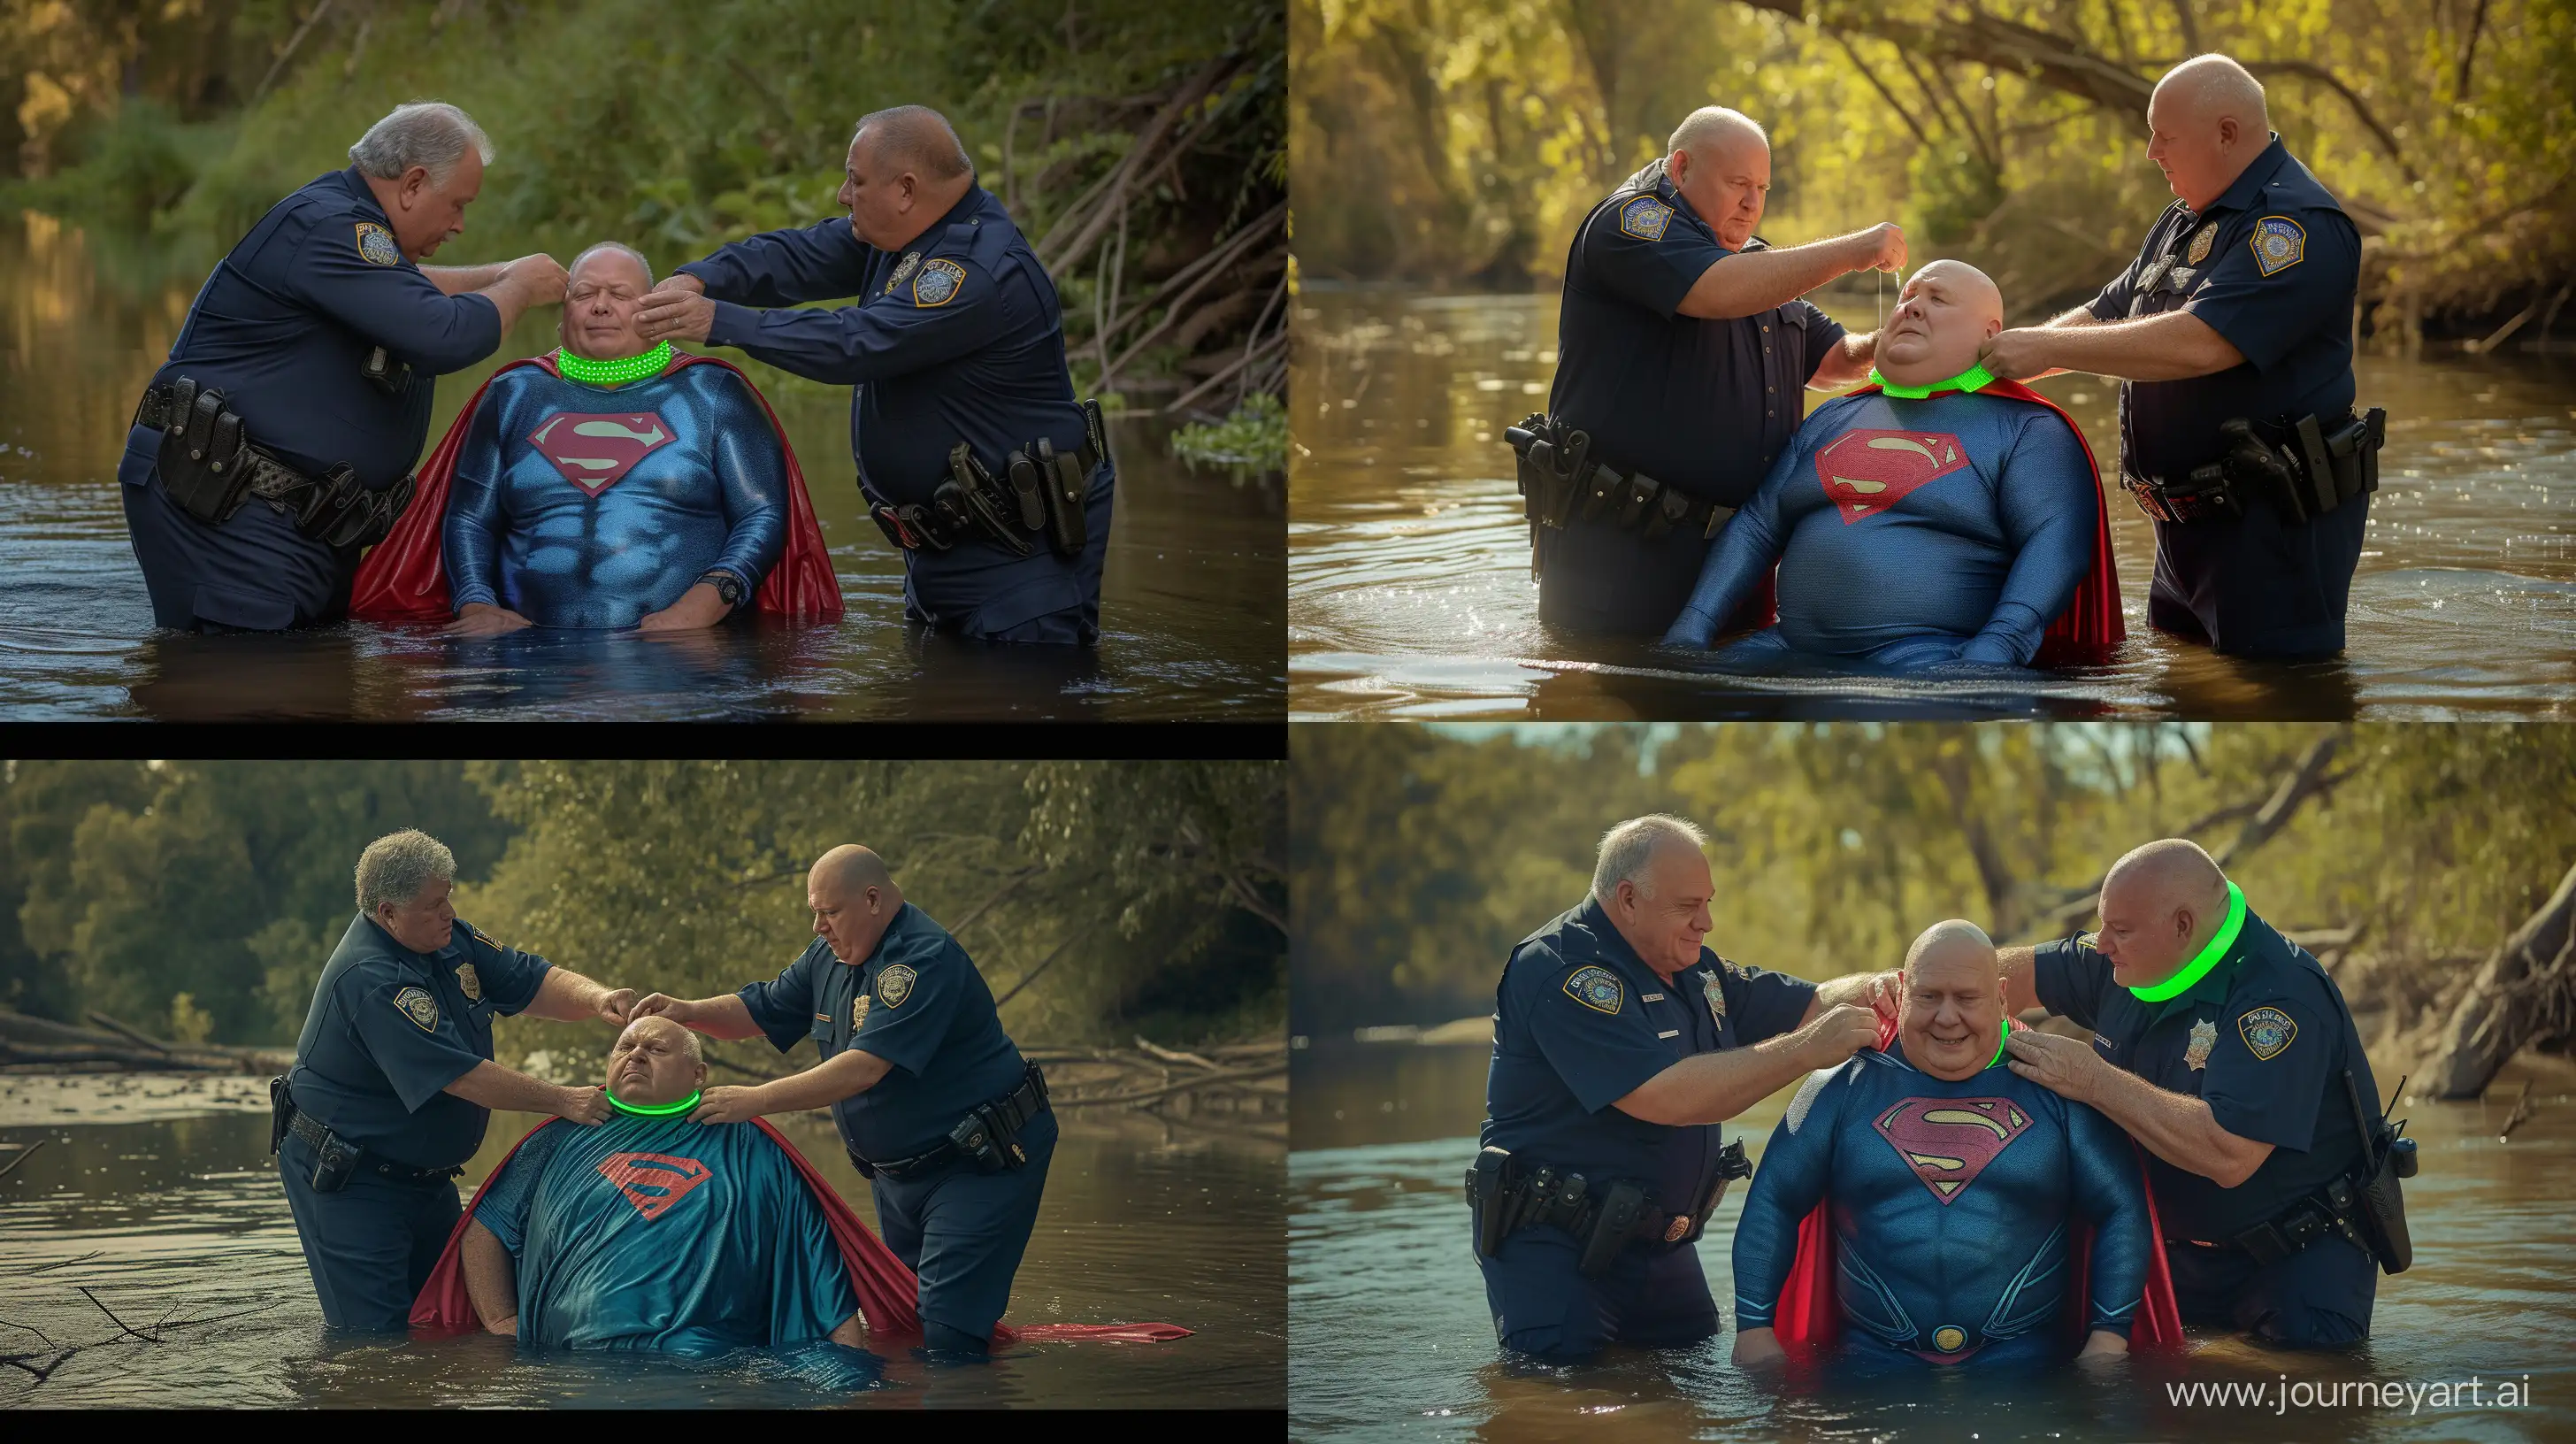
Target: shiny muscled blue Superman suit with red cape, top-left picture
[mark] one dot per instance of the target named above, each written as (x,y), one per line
(596,507)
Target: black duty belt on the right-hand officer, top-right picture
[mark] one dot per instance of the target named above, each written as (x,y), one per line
(2315,468)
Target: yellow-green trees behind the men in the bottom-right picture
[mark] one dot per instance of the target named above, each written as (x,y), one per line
(1418,857)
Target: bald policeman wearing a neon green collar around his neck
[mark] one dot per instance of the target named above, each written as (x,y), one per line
(2232,1059)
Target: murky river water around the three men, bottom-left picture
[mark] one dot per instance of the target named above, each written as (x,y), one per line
(158,1195)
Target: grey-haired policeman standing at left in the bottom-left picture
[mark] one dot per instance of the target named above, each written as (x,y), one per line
(395,1079)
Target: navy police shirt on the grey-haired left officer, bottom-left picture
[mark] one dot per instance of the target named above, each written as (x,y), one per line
(393,1028)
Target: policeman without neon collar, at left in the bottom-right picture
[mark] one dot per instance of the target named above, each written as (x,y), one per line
(1619,1048)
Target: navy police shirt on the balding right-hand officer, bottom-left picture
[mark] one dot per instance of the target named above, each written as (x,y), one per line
(916,1002)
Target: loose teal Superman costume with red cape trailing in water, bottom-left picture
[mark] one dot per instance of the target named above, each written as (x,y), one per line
(694,1239)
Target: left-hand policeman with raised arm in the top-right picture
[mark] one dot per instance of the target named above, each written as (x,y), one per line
(1683,349)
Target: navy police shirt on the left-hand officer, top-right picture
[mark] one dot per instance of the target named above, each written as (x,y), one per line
(1694,404)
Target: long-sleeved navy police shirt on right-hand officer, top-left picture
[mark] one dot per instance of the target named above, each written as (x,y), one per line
(954,339)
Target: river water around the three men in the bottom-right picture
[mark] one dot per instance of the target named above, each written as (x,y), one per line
(1390,1332)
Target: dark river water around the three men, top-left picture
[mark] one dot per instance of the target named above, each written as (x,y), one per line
(1191,602)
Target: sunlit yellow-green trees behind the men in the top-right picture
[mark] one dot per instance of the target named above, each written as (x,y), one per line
(1459,141)
